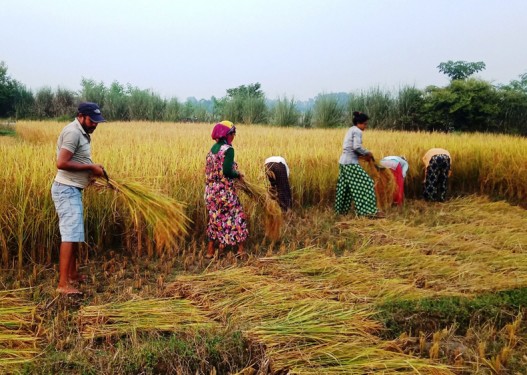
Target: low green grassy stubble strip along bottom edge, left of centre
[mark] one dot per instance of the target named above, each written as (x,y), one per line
(151,354)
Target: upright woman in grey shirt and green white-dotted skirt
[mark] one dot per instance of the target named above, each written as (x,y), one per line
(354,184)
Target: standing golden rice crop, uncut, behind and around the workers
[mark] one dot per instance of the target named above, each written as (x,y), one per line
(169,158)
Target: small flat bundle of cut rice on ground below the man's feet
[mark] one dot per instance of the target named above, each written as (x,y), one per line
(146,315)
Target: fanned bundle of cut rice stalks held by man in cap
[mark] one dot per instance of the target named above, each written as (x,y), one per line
(165,217)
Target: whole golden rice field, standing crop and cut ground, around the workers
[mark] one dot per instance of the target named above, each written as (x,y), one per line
(433,288)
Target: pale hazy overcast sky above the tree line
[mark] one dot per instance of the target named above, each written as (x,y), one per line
(294,48)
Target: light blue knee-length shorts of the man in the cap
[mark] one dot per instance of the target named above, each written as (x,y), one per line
(68,203)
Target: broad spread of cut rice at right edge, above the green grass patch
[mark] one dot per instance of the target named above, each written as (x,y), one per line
(467,250)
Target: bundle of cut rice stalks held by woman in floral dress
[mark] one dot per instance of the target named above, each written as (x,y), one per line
(273,213)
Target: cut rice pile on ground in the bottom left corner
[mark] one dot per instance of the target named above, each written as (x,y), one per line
(18,339)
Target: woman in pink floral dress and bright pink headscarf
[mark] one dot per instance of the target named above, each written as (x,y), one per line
(227,224)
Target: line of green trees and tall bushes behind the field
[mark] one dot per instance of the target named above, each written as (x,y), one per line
(465,104)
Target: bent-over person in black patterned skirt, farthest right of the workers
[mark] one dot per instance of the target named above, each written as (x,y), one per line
(438,167)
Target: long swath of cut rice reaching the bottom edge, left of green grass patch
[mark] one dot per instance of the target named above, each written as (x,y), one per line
(302,332)
